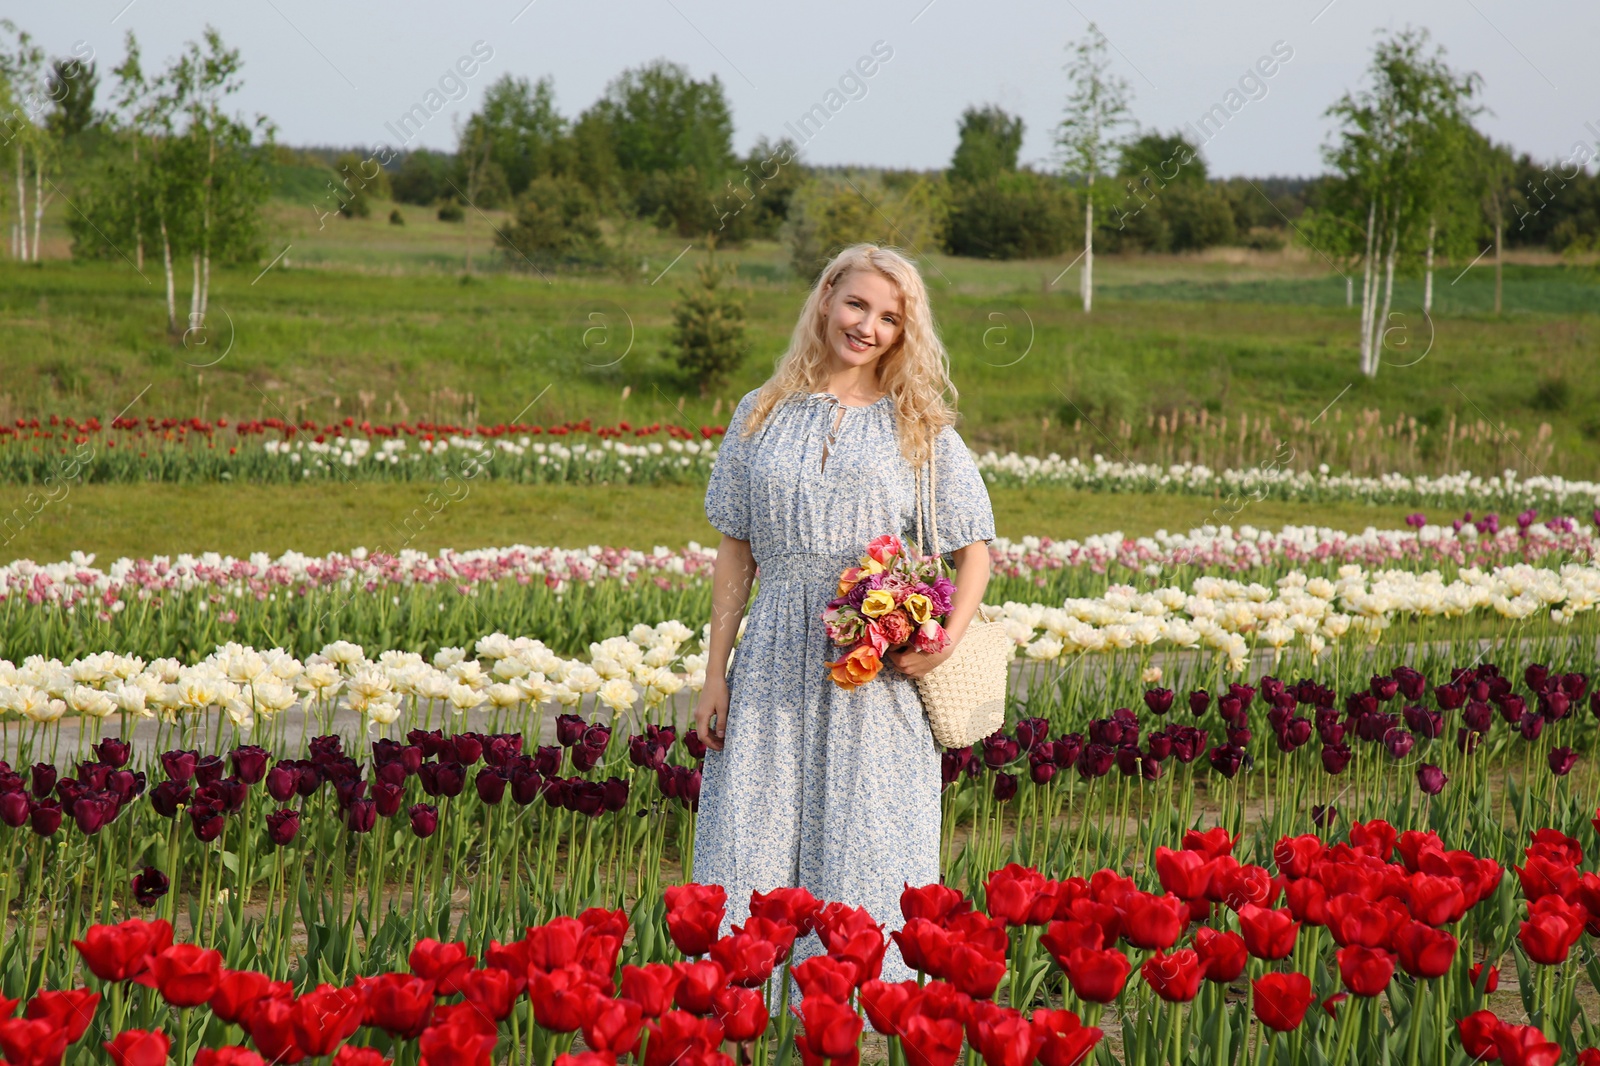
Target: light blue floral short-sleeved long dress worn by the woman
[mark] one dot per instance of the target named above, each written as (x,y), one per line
(820,787)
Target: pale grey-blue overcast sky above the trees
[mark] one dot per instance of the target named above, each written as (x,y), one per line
(337,73)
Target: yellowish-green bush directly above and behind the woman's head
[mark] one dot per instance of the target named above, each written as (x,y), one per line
(834,212)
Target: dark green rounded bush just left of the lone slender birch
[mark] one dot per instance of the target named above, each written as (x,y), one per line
(1014,215)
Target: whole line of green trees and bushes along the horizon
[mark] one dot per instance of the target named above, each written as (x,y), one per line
(159,172)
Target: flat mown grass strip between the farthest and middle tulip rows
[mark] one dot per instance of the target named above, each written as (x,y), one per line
(116,521)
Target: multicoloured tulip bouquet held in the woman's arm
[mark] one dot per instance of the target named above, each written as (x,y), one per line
(894,599)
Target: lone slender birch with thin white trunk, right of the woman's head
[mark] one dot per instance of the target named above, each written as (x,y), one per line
(1092,132)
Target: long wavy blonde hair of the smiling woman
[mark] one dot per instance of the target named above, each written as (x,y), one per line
(916,372)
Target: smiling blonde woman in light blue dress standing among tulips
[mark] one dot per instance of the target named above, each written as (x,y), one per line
(809,783)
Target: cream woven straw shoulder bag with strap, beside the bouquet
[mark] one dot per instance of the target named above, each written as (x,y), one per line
(964,695)
